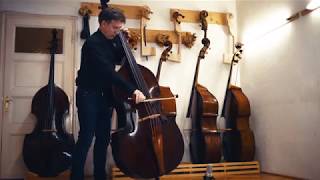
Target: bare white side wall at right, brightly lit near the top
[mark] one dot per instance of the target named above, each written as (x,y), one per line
(280,75)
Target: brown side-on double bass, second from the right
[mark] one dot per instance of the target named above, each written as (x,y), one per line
(205,141)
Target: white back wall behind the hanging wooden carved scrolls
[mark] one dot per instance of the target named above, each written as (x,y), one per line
(179,76)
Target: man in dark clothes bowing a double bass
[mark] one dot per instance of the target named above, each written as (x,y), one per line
(94,98)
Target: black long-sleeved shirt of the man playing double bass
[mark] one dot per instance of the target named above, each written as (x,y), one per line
(99,56)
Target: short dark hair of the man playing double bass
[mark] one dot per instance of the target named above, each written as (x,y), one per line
(109,14)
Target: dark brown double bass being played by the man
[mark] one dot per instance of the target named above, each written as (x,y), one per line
(152,145)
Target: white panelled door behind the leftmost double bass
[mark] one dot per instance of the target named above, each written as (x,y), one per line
(24,73)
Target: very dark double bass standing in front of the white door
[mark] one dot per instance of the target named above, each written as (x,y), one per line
(47,150)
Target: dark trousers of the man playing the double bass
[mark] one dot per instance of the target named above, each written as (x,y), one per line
(95,121)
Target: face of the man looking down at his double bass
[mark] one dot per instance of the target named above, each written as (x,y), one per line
(111,29)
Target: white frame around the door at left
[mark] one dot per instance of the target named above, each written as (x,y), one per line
(73,56)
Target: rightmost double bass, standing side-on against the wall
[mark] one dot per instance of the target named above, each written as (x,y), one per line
(238,141)
